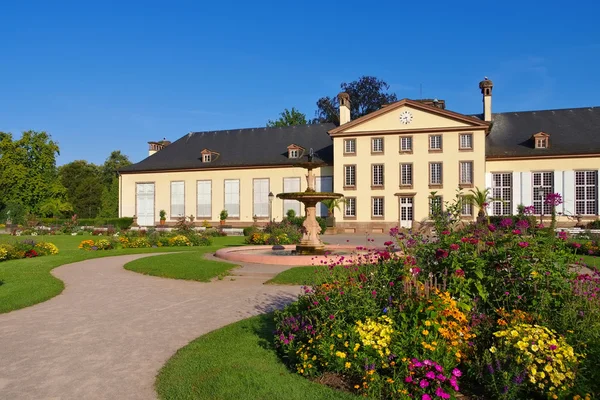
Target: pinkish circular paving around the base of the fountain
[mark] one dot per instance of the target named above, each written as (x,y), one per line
(285,255)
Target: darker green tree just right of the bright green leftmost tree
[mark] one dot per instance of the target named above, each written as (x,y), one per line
(83,183)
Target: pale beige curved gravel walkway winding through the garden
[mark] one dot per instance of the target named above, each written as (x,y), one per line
(111,330)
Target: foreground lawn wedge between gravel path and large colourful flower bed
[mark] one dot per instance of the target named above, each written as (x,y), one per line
(236,362)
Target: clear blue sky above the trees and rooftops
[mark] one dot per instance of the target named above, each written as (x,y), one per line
(107,75)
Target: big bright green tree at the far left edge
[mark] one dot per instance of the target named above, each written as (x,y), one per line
(28,171)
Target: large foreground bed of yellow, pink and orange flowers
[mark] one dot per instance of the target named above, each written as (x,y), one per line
(491,311)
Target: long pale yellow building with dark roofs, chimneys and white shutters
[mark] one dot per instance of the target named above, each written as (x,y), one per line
(386,164)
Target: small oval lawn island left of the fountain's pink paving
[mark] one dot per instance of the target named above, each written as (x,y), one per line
(190,266)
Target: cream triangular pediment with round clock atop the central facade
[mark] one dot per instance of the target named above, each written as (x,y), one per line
(408,115)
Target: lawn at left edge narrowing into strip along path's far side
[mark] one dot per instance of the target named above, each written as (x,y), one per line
(27,282)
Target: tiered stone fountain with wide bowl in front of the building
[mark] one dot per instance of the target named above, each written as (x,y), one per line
(311,243)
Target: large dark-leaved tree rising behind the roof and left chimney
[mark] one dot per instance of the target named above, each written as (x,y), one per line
(367,94)
